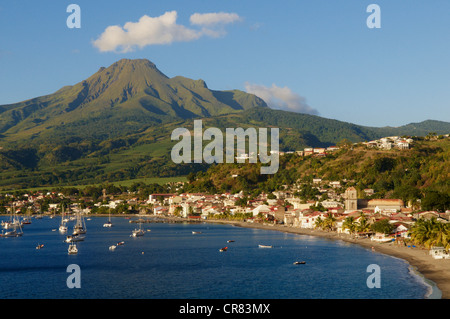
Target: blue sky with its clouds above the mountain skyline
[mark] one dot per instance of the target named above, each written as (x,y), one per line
(321,57)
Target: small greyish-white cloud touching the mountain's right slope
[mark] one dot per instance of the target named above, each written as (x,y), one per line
(281,98)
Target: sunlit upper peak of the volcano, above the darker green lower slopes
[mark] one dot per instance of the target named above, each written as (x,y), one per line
(128,96)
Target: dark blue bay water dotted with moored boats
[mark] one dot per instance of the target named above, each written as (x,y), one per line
(170,262)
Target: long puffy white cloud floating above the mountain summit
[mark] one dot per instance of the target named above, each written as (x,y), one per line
(161,30)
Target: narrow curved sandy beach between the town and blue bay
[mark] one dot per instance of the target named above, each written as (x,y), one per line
(437,271)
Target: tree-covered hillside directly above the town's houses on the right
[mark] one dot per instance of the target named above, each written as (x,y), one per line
(419,173)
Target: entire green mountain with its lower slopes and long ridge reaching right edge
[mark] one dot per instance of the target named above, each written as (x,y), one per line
(116,125)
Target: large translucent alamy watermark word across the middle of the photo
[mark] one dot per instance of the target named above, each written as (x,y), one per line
(191,146)
